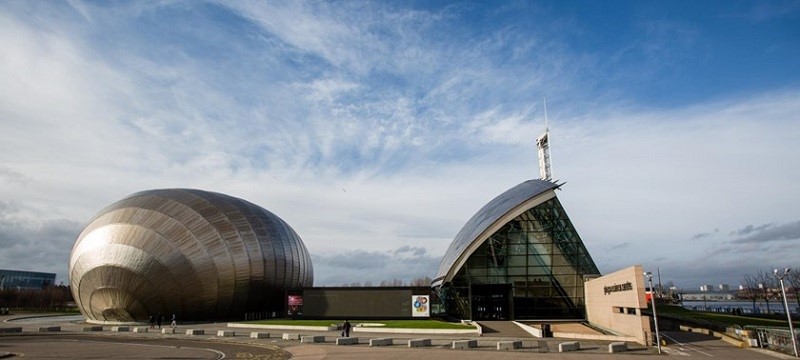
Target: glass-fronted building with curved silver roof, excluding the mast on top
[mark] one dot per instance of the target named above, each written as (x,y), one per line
(518,257)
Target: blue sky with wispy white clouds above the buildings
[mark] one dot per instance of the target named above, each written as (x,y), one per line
(377,129)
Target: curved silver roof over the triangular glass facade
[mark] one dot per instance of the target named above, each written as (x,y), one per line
(512,202)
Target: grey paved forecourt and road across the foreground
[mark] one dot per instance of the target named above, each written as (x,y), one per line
(73,343)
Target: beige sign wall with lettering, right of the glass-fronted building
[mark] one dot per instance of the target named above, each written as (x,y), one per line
(615,301)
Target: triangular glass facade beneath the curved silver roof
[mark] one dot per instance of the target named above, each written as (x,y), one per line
(533,267)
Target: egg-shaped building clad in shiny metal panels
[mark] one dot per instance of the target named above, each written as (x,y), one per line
(200,255)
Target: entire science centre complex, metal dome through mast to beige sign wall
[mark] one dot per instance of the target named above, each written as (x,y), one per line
(208,256)
